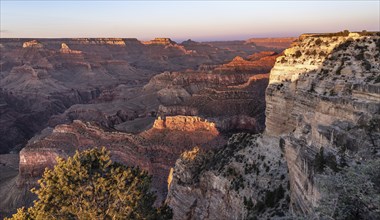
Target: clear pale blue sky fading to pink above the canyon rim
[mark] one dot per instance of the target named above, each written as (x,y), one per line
(198,20)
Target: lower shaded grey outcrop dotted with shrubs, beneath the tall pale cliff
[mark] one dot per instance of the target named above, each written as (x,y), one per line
(242,180)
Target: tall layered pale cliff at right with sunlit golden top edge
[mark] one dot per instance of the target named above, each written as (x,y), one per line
(312,102)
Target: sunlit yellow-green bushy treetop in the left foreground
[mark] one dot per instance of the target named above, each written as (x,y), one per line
(90,186)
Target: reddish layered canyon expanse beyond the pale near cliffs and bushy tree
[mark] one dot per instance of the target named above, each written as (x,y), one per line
(147,102)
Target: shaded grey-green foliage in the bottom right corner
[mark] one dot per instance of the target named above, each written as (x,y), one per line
(353,193)
